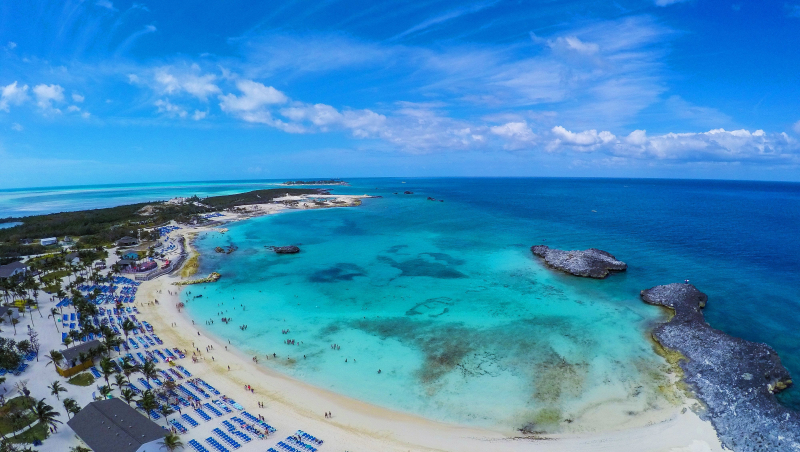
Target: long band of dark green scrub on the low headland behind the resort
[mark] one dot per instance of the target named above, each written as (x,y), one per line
(104,226)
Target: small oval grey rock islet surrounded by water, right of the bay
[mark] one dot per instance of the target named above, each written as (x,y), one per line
(591,263)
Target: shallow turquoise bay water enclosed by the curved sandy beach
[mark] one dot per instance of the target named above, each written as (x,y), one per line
(446,300)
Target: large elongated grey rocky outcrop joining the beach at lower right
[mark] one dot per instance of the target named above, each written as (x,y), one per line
(736,379)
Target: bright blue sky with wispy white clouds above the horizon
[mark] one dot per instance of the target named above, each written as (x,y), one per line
(107,91)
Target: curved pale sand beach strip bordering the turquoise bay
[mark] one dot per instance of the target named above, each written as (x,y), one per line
(358,425)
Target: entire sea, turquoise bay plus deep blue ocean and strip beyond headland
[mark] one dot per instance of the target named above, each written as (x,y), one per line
(466,326)
